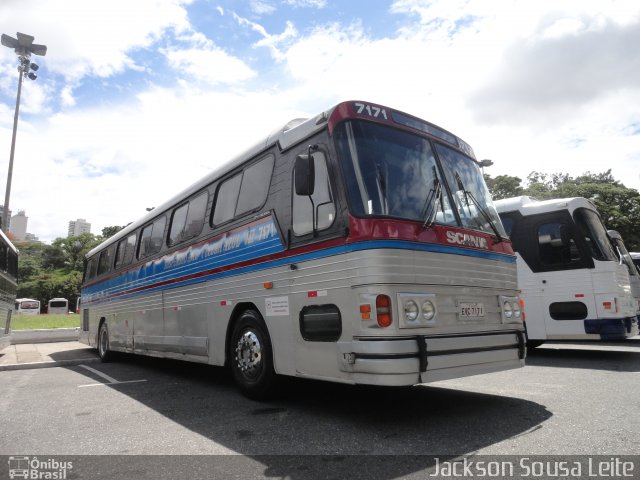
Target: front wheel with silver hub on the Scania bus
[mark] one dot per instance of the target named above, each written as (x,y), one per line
(251,357)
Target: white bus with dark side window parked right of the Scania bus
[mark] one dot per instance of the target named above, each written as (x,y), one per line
(571,280)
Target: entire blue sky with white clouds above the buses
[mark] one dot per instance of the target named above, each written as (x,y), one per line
(136,100)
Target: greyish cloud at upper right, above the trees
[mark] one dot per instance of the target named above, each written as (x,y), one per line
(555,76)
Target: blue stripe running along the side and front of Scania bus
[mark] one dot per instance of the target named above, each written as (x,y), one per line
(142,284)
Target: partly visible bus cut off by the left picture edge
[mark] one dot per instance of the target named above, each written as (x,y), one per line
(8,287)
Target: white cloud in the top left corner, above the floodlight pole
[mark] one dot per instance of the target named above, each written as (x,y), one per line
(87,37)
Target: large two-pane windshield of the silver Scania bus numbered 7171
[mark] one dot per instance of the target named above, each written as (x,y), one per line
(395,174)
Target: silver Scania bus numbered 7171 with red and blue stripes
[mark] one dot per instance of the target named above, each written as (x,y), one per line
(359,246)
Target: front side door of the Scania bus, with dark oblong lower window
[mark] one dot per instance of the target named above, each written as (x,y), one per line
(317,321)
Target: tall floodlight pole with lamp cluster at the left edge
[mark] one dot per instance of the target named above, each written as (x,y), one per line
(24,47)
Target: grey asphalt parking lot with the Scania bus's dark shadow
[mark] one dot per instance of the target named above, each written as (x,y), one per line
(567,401)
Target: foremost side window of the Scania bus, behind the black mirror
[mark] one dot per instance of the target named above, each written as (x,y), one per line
(322,201)
